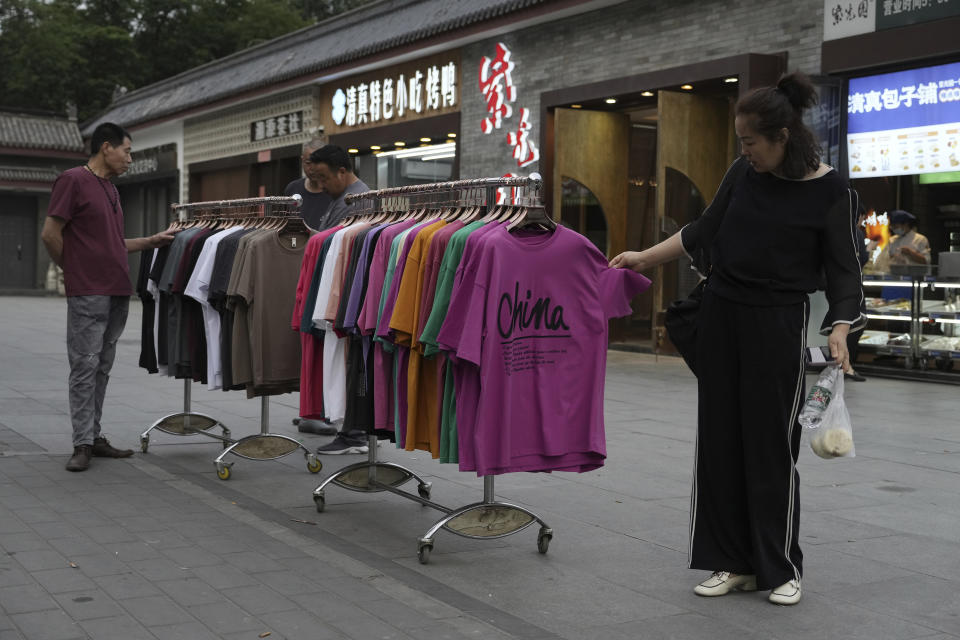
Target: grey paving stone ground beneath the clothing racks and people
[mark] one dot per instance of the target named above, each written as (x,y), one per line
(155,546)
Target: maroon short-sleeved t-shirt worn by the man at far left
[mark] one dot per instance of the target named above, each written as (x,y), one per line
(94,252)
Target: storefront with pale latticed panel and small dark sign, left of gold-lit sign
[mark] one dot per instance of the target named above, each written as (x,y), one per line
(249,150)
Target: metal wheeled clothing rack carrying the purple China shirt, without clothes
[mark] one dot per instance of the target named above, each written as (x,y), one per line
(484,520)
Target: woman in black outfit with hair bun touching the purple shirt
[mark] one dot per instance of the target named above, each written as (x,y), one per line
(787,220)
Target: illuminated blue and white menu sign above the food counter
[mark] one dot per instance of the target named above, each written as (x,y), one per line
(906,122)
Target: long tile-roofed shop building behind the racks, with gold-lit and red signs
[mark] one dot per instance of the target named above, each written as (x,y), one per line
(624,108)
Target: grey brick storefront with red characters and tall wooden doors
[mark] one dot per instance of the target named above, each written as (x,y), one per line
(627,114)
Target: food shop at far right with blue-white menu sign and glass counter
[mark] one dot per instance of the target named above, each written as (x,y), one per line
(898,65)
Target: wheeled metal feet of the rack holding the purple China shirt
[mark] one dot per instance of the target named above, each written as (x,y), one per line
(486,520)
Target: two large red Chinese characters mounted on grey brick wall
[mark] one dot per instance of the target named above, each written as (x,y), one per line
(499,92)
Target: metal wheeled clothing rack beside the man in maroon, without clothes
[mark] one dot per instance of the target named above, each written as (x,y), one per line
(263,445)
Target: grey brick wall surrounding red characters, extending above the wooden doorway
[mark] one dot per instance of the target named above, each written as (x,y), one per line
(630,38)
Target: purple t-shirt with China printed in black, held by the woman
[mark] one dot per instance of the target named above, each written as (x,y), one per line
(532,311)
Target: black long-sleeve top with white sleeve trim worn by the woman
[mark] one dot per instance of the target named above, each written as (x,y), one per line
(774,239)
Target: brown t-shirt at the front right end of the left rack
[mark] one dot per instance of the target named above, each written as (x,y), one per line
(267,284)
